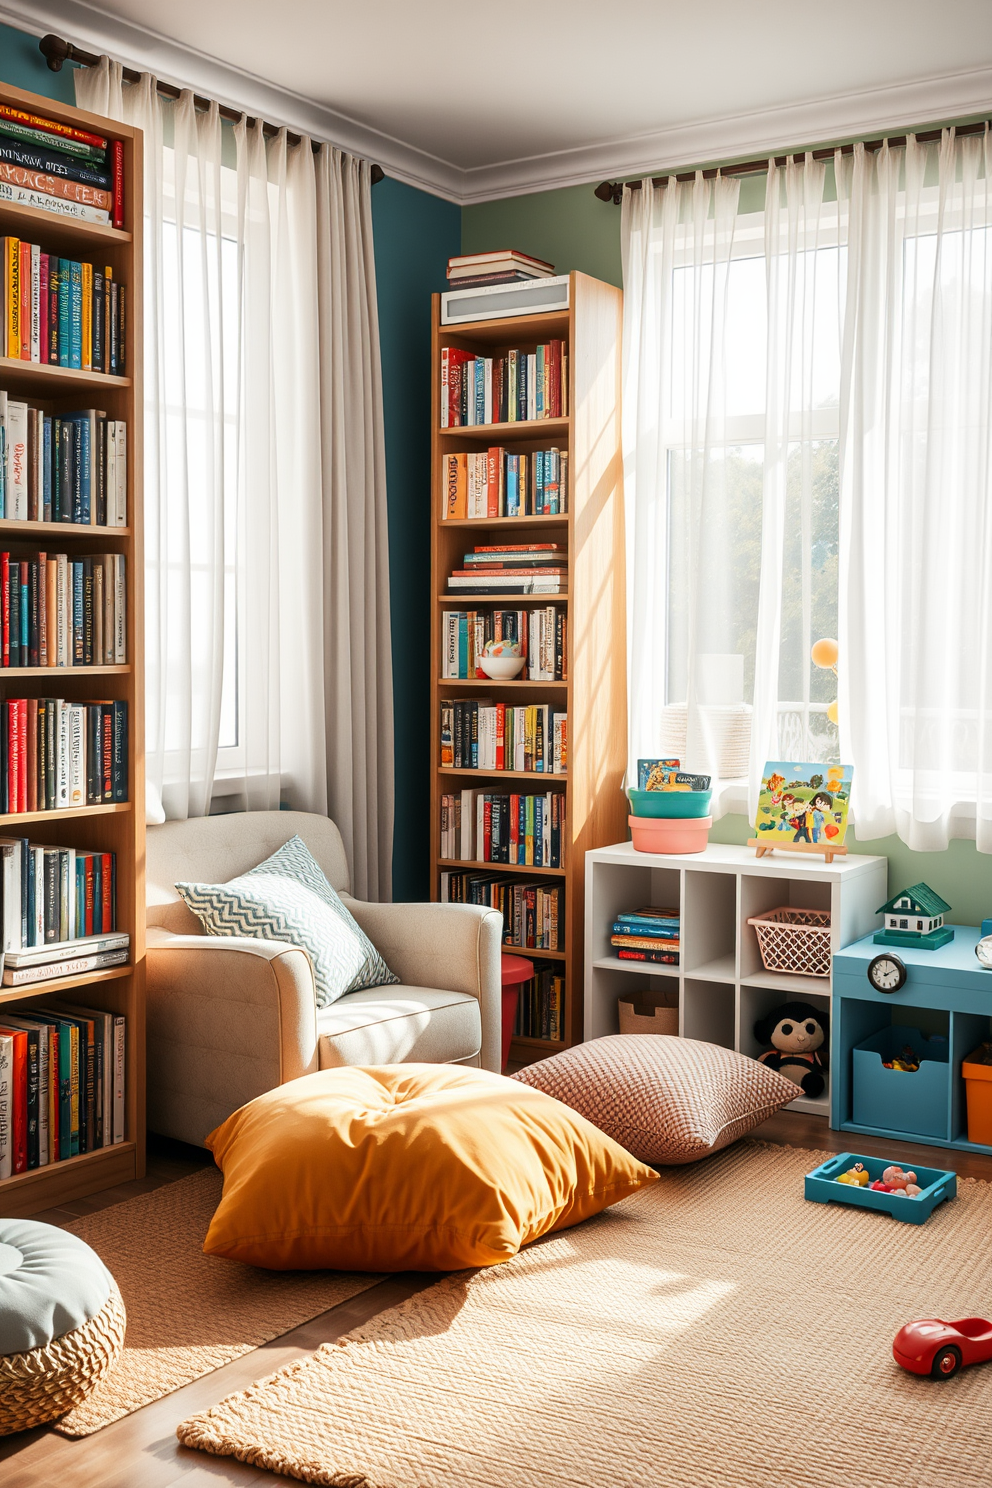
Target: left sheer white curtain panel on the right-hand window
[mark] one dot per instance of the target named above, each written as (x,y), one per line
(731,356)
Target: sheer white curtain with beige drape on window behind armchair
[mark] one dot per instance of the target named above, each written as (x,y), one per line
(267,617)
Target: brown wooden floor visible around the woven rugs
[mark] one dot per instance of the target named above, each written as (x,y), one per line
(142,1450)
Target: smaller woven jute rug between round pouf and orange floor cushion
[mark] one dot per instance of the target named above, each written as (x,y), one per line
(188,1313)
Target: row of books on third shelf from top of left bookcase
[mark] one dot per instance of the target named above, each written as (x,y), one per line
(63,468)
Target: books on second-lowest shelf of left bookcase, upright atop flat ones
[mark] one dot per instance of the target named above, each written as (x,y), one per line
(51,897)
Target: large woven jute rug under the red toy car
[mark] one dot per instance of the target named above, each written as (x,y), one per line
(715,1330)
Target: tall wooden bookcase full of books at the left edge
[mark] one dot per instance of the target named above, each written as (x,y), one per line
(72,758)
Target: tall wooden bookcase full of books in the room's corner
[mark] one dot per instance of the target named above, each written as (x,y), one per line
(527,444)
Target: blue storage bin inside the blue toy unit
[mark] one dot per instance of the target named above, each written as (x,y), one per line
(895,1099)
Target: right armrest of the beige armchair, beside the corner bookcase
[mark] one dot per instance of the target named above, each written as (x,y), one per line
(453,947)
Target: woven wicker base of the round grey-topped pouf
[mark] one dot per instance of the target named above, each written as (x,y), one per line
(45,1383)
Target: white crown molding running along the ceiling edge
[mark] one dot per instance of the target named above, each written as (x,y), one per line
(813,123)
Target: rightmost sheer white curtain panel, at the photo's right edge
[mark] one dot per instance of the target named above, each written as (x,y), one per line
(917,492)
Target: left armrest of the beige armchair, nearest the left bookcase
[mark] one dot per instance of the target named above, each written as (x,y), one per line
(228,1019)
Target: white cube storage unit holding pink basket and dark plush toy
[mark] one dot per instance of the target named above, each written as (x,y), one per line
(722,984)
